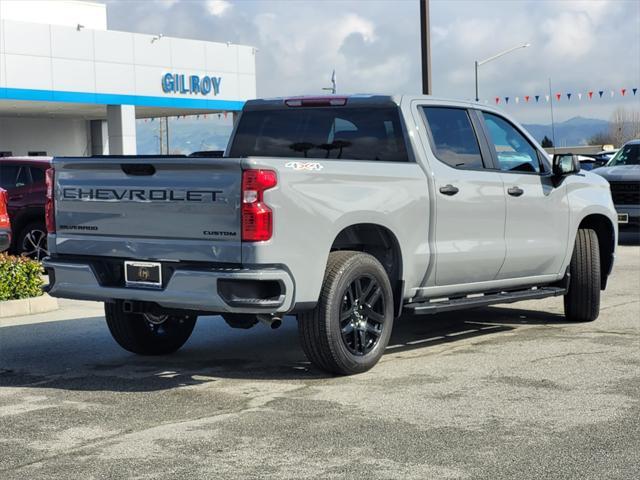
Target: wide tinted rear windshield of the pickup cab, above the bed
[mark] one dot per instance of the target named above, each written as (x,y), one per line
(333,133)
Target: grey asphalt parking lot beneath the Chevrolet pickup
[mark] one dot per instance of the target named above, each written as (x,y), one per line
(500,392)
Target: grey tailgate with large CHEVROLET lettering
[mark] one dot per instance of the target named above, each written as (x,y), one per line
(170,208)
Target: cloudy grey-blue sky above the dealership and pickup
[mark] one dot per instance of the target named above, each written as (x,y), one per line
(374,46)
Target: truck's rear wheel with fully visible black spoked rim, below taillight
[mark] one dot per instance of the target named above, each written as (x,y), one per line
(350,327)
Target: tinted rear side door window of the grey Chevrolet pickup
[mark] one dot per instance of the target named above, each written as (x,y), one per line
(453,138)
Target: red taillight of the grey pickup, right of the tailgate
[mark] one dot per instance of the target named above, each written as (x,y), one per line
(257,217)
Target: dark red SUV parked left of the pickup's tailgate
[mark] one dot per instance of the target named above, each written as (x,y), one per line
(24,180)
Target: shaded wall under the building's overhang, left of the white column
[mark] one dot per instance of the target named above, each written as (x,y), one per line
(59,136)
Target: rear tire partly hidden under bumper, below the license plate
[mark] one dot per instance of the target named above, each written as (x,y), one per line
(152,335)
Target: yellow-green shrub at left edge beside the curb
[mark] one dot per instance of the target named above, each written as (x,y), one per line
(19,278)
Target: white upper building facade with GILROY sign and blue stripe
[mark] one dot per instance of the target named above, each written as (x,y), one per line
(60,60)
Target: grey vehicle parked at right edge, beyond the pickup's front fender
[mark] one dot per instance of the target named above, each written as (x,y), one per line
(623,174)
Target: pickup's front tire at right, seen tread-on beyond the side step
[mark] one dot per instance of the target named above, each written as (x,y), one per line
(582,301)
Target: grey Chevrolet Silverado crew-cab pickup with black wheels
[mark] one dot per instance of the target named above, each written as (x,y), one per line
(342,211)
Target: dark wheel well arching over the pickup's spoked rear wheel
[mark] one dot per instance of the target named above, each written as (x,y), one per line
(382,244)
